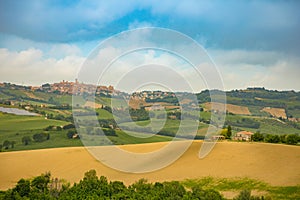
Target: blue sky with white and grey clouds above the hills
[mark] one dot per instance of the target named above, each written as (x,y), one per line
(252,43)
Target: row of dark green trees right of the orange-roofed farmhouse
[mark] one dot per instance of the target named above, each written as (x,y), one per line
(291,139)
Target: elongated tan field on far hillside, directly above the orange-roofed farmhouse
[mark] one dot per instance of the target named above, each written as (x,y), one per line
(238,110)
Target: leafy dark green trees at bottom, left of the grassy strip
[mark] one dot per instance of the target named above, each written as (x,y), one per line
(92,187)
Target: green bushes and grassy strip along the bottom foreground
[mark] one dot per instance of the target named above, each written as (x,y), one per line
(93,187)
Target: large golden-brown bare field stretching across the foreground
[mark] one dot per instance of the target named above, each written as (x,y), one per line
(273,163)
